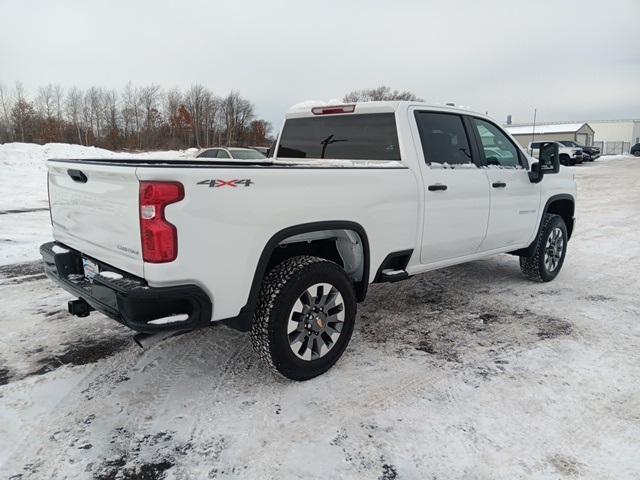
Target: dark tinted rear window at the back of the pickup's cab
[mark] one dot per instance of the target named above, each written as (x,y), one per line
(344,137)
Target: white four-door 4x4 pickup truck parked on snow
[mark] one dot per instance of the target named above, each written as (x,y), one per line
(286,246)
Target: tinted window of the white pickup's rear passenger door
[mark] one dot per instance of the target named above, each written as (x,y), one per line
(444,139)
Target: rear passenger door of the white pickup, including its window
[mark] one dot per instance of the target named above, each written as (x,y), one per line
(456,196)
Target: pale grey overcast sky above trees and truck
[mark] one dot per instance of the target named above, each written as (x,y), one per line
(572,59)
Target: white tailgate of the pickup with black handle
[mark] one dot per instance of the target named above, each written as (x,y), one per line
(94,209)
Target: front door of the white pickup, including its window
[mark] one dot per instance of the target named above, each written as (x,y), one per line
(514,199)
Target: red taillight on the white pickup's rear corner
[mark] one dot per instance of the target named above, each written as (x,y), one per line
(159,237)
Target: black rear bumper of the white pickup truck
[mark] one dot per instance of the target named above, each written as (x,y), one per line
(128,299)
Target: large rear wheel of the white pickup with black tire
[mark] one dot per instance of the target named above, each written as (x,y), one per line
(283,300)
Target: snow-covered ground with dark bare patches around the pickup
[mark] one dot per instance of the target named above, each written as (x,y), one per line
(465,372)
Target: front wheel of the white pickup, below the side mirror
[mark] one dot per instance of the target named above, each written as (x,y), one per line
(541,267)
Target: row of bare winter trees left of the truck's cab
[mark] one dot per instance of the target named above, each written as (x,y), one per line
(135,118)
